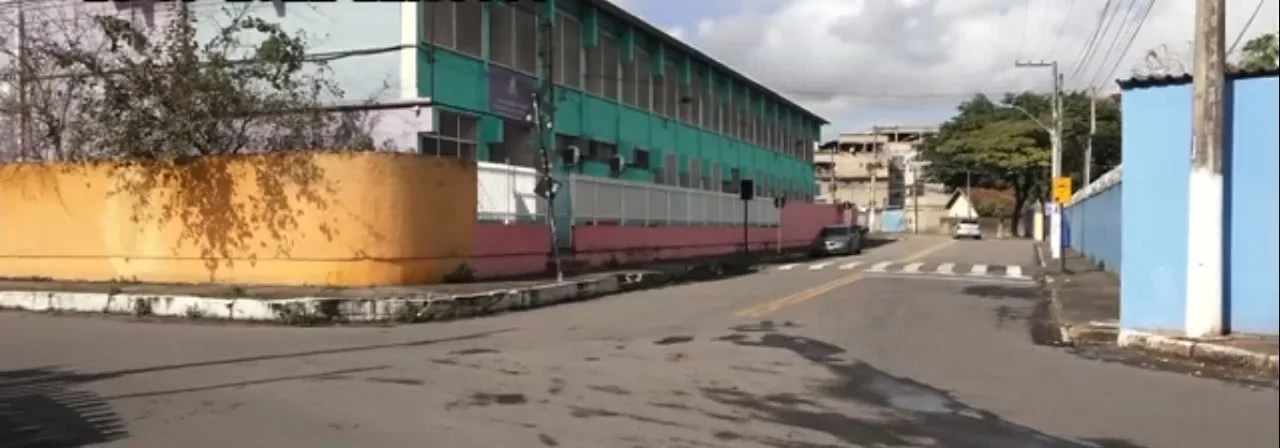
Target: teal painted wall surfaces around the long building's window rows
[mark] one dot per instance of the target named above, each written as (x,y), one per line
(458,81)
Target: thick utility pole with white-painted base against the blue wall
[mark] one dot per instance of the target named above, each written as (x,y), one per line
(1205,202)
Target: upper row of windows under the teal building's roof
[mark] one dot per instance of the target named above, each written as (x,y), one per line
(600,71)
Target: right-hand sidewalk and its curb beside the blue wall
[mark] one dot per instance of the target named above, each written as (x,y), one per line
(1085,304)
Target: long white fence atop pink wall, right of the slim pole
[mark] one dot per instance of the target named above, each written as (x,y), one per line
(644,204)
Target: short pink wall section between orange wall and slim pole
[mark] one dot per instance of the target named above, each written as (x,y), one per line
(509,250)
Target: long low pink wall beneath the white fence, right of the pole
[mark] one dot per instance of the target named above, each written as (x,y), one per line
(598,245)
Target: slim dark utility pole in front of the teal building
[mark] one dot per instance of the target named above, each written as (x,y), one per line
(543,116)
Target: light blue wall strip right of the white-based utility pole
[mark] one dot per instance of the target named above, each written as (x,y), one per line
(1254,195)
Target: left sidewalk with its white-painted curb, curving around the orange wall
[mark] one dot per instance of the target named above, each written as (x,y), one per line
(368,305)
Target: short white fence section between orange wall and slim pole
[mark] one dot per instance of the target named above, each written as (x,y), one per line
(506,194)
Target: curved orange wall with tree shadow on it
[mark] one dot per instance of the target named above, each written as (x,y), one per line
(330,218)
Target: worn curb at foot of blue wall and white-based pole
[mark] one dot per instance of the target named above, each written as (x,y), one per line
(1200,351)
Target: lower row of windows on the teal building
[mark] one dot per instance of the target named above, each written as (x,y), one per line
(458,136)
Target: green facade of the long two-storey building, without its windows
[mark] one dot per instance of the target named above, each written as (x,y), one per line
(461,84)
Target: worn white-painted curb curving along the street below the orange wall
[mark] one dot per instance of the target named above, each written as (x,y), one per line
(346,310)
